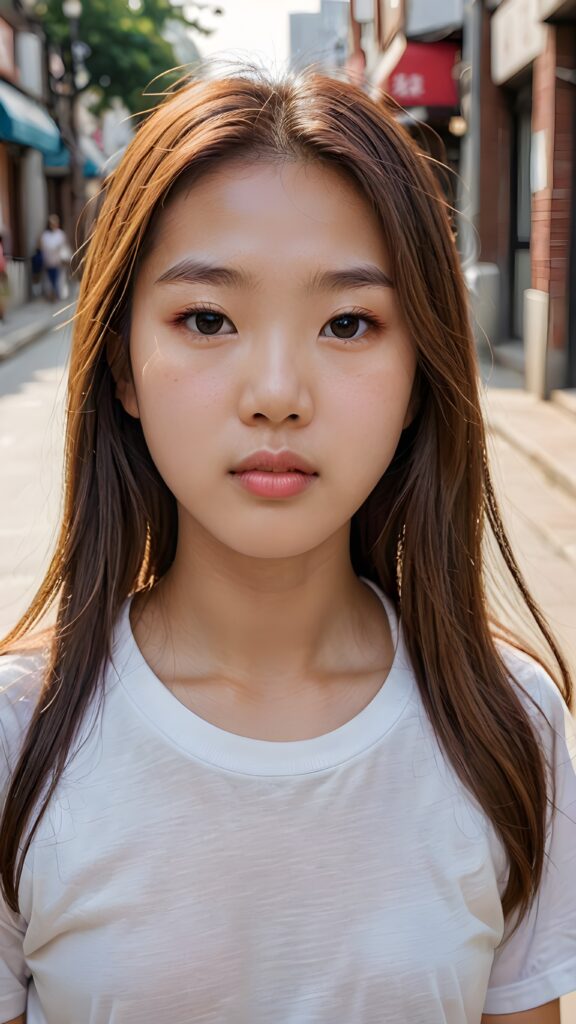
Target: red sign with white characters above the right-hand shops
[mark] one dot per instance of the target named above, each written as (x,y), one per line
(424,76)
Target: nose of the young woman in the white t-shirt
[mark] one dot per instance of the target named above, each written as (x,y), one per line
(276,382)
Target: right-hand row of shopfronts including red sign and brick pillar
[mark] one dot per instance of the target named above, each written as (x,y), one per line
(497,81)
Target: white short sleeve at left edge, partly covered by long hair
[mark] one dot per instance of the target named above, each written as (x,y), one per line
(16,705)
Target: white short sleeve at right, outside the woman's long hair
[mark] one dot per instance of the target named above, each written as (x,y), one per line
(539,963)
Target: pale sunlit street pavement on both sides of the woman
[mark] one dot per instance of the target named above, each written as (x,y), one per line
(538,510)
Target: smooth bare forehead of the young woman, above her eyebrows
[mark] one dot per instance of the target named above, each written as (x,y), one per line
(273,214)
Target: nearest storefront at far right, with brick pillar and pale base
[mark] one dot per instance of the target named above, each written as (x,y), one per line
(533,59)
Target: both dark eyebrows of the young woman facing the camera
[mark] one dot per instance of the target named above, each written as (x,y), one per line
(197,272)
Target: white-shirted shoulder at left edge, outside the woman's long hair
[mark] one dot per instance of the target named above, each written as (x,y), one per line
(21,682)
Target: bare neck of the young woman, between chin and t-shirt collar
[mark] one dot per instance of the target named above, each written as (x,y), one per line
(262,622)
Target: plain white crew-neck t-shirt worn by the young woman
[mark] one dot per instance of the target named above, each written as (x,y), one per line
(186,874)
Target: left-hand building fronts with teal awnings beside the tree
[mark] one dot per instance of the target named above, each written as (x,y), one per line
(38,108)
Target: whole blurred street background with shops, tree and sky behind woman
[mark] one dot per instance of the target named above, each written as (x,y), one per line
(488,88)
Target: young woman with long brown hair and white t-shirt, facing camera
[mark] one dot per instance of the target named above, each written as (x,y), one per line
(277,761)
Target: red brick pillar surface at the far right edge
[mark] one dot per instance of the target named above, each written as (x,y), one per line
(553,102)
